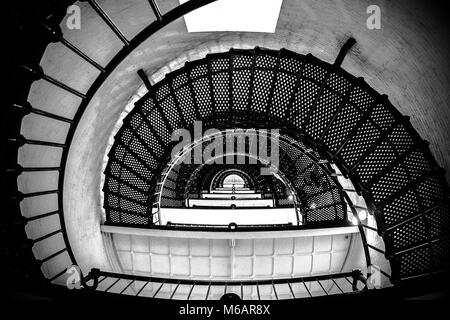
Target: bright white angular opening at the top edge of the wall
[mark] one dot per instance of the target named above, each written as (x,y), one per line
(235,15)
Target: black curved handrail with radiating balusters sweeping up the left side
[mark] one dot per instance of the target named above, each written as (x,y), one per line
(36,73)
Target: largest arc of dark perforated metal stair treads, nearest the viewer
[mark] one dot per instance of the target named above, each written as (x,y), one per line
(340,115)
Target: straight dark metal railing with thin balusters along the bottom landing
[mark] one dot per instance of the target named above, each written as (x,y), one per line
(166,288)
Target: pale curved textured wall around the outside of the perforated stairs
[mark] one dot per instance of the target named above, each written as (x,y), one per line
(406,59)
